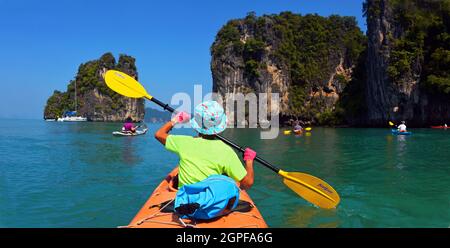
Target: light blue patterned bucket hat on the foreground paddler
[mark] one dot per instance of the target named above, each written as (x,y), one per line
(209,118)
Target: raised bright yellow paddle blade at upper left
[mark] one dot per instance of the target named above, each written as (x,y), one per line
(125,85)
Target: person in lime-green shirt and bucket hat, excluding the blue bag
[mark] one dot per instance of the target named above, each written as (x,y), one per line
(204,156)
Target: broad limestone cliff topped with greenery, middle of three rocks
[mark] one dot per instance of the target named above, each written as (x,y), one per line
(308,60)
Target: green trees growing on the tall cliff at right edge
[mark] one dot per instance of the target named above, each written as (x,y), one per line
(425,41)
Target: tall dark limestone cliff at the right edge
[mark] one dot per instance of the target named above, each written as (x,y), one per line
(407,62)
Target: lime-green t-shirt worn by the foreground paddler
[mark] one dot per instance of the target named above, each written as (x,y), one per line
(201,158)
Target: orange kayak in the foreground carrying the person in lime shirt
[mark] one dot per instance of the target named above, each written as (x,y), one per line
(157,212)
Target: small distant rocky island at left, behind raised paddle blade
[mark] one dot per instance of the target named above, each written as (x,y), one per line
(94,99)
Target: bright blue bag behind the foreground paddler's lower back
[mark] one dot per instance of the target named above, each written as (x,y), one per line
(214,196)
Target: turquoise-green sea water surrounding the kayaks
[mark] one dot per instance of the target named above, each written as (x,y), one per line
(79,175)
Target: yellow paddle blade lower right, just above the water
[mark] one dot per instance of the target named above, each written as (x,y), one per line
(311,188)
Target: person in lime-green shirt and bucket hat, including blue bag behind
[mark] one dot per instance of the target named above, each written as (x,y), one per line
(204,192)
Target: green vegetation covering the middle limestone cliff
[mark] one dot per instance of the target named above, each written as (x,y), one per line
(307,47)
